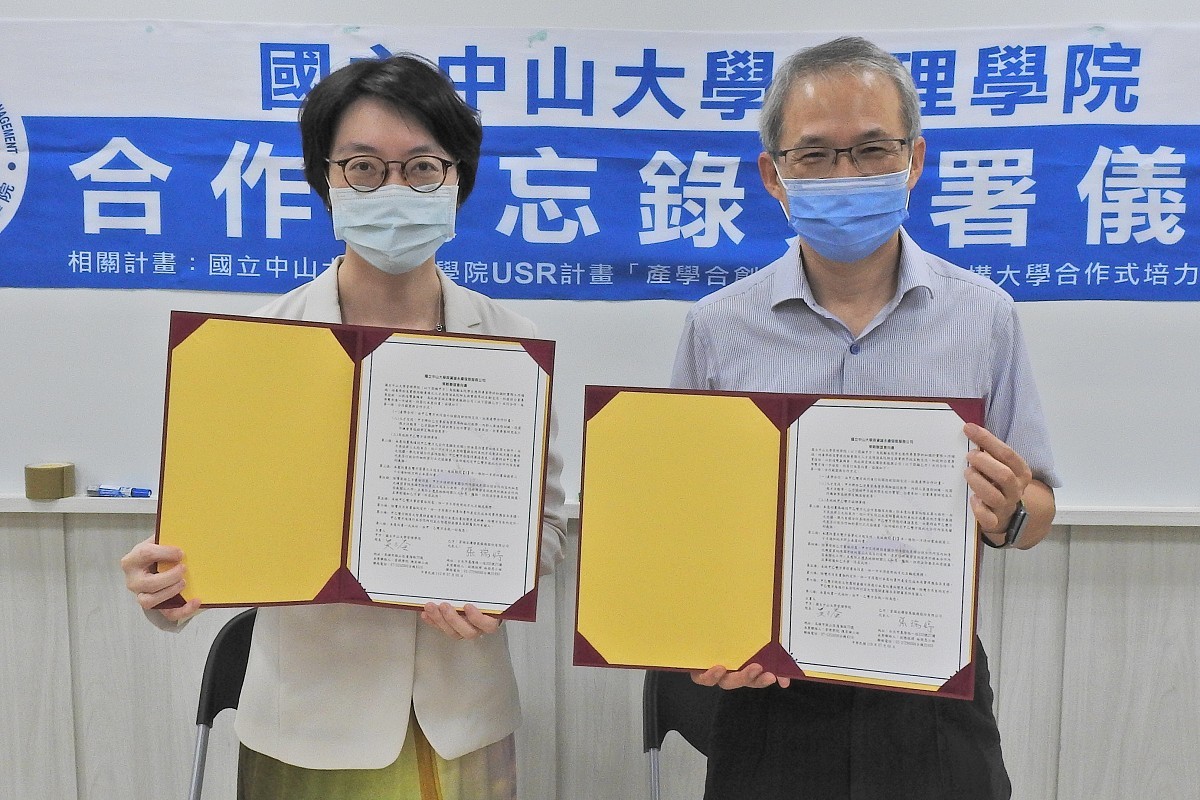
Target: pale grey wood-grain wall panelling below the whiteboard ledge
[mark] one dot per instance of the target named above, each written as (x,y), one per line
(1093,641)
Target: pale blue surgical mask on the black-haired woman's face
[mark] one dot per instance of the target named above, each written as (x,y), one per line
(394,228)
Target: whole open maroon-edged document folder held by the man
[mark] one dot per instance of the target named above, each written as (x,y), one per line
(824,538)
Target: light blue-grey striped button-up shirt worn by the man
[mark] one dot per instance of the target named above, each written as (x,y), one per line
(947,333)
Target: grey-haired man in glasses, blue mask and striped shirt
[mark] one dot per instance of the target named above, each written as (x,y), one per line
(856,308)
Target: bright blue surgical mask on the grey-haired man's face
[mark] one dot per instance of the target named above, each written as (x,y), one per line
(848,219)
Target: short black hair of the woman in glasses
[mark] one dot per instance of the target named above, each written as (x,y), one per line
(416,88)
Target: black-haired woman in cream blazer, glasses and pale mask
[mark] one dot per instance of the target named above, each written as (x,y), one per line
(346,701)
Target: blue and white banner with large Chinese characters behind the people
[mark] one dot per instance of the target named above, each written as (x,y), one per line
(617,165)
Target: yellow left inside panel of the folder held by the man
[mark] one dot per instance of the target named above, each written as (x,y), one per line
(677,555)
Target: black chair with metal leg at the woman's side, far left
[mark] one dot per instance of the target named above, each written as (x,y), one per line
(221,687)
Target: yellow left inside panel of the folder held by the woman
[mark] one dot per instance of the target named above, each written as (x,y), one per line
(255,460)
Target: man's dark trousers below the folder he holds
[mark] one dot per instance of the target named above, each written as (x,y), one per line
(824,742)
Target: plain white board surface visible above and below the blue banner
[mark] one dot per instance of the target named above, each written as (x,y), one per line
(85,372)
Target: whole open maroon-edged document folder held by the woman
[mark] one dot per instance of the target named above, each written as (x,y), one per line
(316,464)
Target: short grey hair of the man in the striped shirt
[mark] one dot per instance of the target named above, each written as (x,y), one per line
(850,55)
